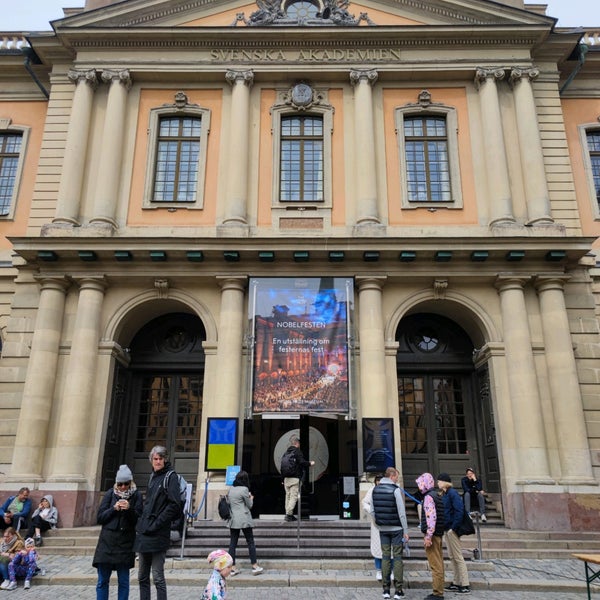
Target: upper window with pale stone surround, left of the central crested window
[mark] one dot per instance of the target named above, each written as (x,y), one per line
(177,163)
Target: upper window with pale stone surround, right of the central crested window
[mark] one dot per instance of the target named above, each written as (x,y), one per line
(428,150)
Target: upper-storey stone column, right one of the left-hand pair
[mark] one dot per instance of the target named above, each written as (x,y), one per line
(111,154)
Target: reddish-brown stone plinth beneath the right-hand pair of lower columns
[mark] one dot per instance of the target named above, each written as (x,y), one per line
(540,511)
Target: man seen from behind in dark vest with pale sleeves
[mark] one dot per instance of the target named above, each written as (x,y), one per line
(388,511)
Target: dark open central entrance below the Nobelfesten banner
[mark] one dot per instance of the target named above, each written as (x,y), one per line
(331,444)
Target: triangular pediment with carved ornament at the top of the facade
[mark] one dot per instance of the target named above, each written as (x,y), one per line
(277,13)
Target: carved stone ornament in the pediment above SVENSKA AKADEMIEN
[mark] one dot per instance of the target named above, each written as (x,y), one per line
(298,13)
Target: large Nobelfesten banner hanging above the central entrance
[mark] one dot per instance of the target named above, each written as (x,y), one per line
(301,331)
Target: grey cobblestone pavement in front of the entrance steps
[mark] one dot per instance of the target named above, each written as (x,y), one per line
(74,577)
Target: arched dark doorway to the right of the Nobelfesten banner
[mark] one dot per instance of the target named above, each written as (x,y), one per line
(445,417)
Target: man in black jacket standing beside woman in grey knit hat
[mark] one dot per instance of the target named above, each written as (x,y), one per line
(161,507)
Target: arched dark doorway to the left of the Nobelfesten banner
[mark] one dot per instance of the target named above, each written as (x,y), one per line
(158,398)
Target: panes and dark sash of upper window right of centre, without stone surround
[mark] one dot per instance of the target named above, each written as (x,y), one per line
(427,164)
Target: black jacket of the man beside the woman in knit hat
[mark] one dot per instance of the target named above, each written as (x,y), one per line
(160,508)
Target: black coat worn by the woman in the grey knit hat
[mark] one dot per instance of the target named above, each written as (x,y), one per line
(117,536)
